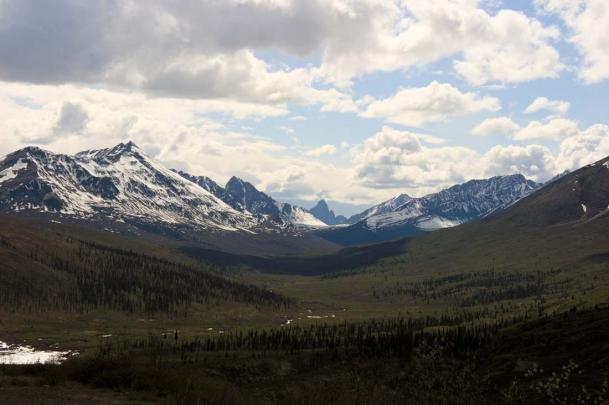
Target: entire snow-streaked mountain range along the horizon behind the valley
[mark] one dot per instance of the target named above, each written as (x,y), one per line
(122,185)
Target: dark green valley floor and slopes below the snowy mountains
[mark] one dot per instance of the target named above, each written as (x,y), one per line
(461,299)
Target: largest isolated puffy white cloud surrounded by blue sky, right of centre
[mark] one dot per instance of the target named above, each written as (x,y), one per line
(435,102)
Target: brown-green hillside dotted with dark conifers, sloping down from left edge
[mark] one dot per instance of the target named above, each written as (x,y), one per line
(45,269)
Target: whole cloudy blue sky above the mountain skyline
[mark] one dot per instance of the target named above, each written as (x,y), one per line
(354,101)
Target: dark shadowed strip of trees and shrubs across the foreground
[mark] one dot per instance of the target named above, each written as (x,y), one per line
(560,359)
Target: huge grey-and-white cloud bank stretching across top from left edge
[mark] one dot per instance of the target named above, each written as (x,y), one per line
(208,49)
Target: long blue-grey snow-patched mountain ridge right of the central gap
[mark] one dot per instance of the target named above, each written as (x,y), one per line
(450,207)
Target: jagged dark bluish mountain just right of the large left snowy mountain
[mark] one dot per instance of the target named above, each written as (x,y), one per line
(245,197)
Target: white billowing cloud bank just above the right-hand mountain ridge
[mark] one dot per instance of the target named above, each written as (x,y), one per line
(395,160)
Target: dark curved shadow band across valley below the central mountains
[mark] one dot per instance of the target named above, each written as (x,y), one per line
(345,259)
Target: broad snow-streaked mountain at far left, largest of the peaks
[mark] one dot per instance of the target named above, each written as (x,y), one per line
(120,183)
